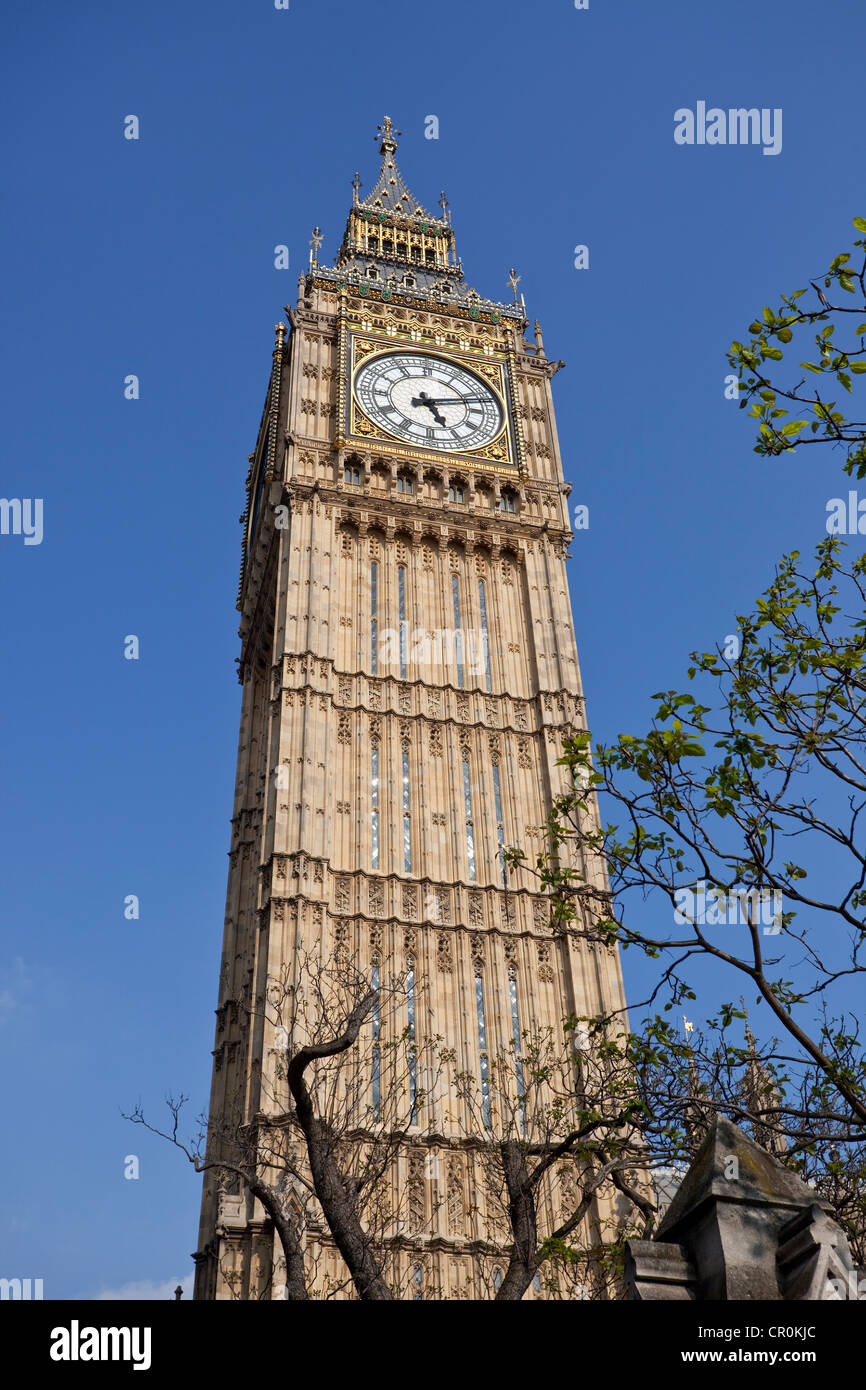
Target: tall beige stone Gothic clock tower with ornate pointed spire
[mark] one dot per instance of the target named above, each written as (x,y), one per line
(409,673)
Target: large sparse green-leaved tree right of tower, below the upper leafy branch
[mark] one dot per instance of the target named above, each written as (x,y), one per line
(721,821)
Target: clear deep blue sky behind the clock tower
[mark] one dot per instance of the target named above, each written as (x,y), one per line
(156,258)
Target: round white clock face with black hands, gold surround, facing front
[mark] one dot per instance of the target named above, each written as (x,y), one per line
(427,401)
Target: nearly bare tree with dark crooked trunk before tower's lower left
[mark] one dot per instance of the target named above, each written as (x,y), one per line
(322,1140)
